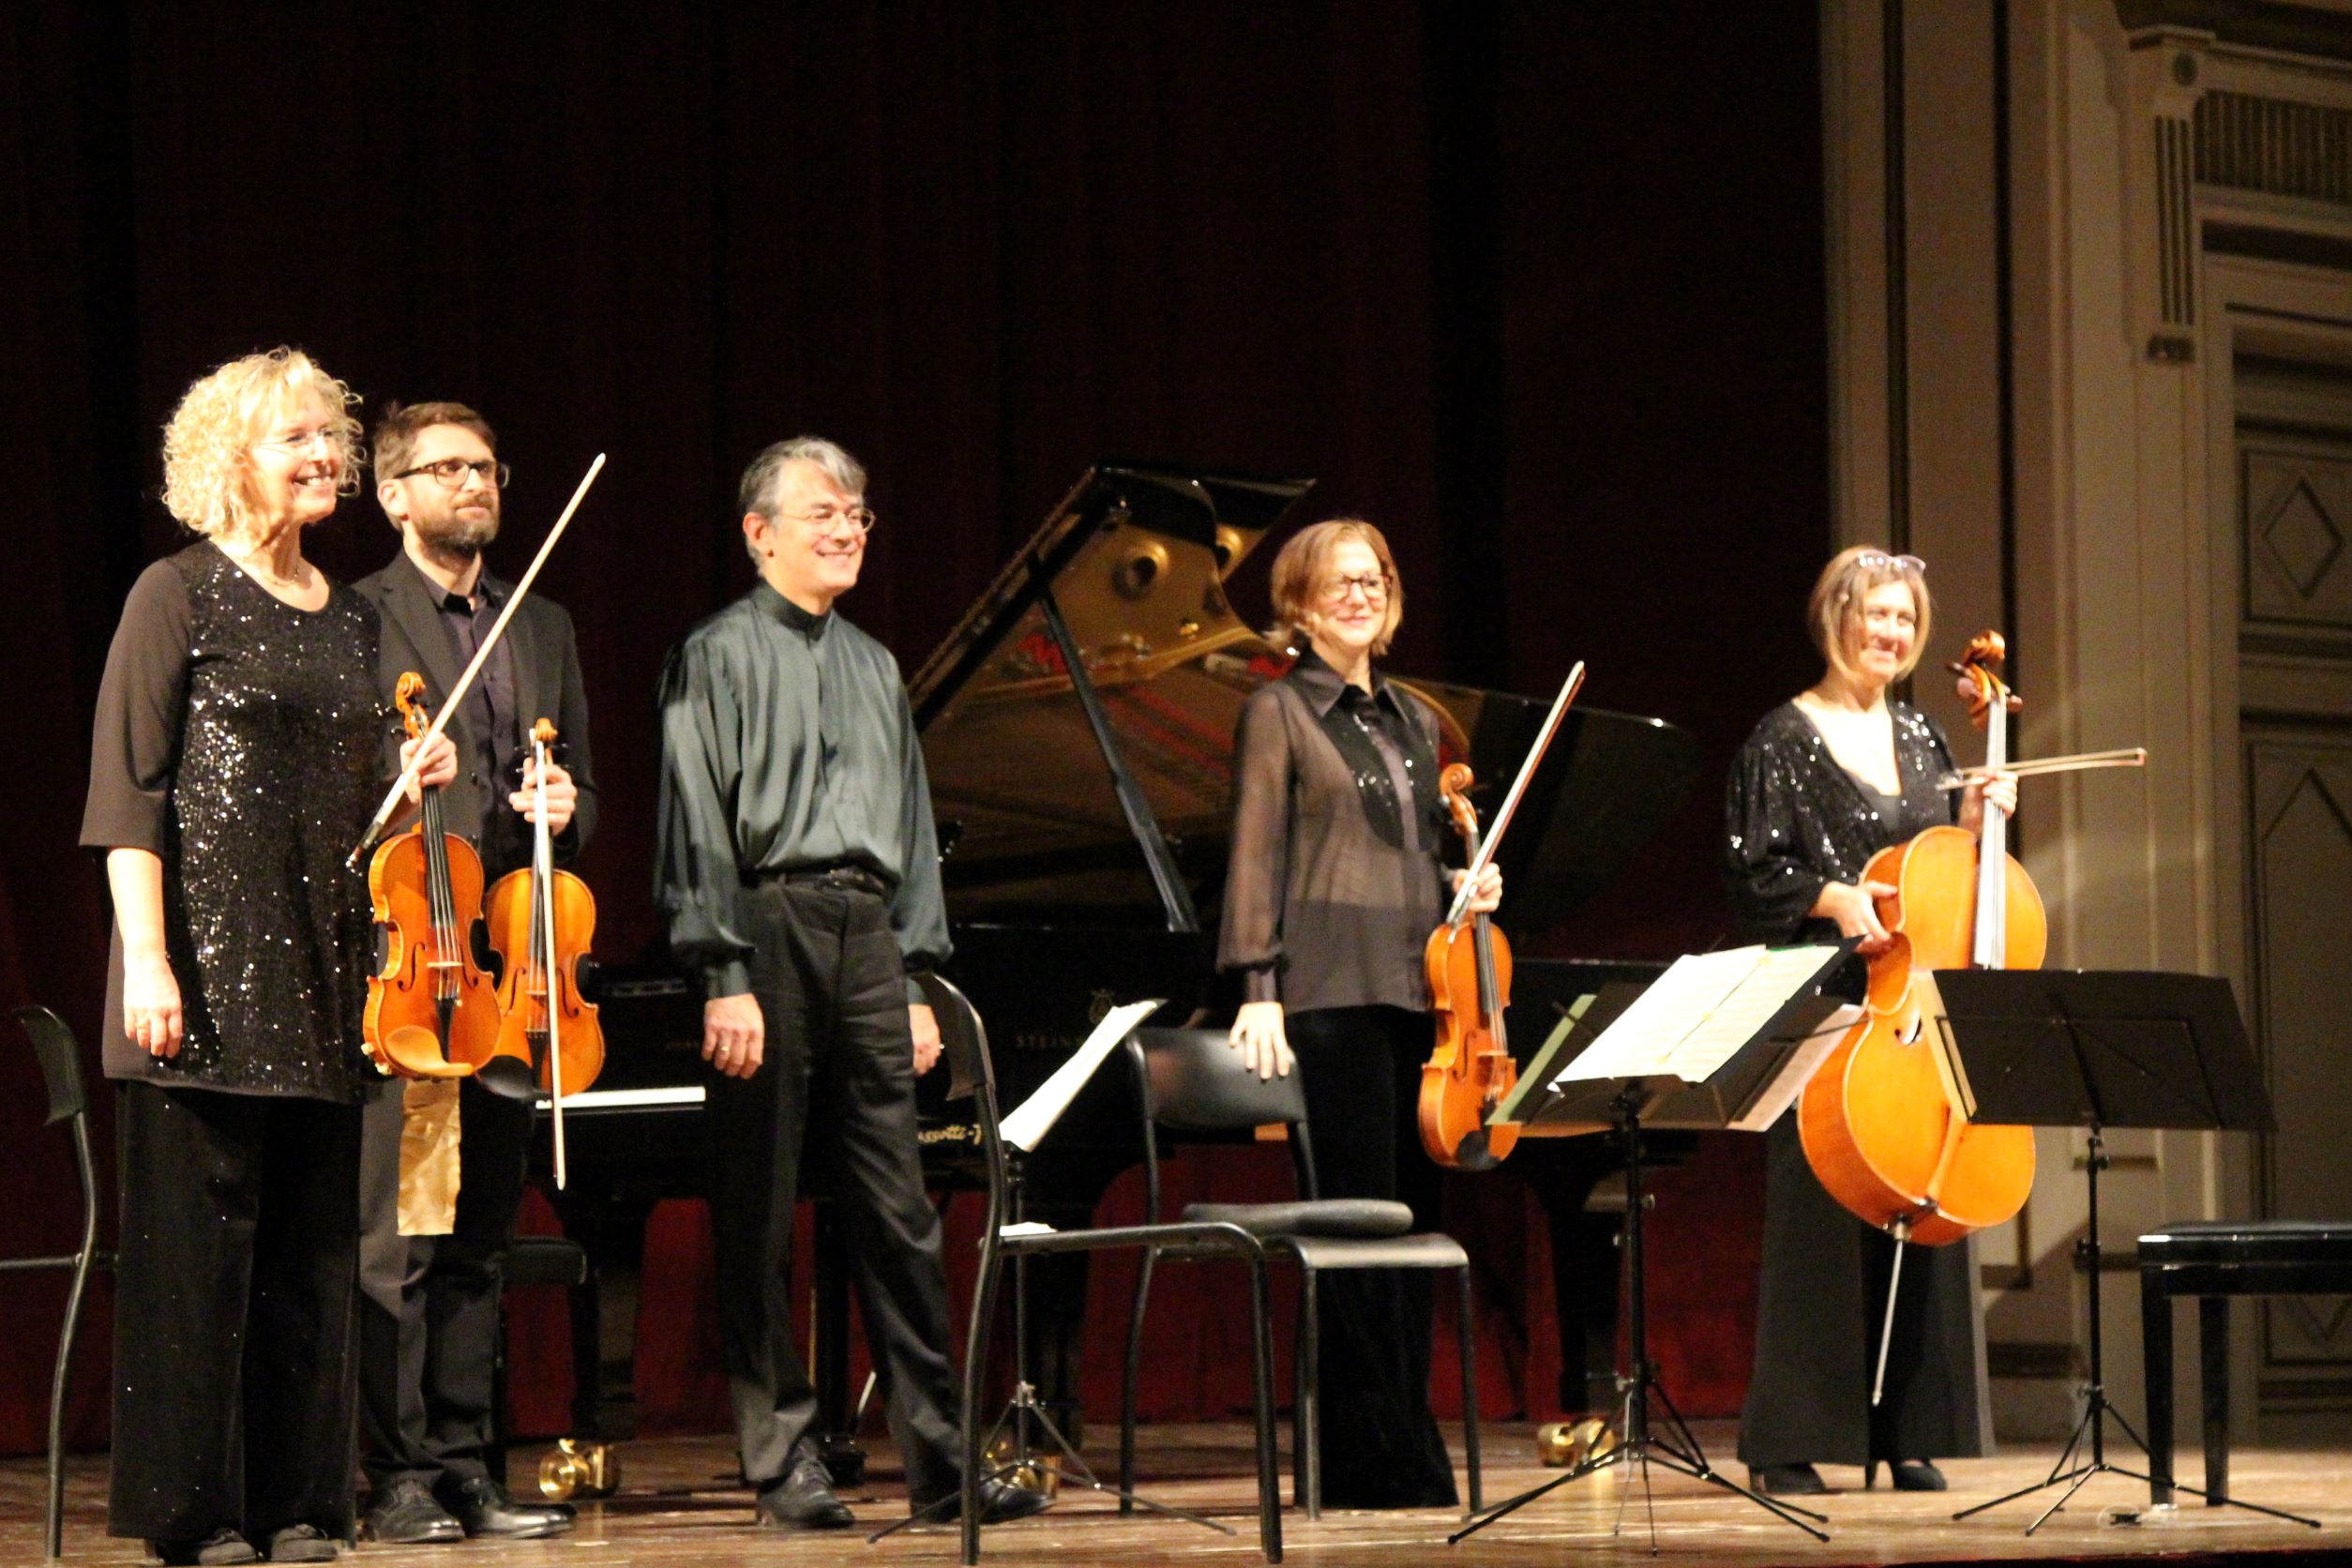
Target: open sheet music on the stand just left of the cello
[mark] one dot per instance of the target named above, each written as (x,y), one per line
(1720,1040)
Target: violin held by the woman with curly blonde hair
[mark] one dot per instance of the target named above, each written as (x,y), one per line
(432,1012)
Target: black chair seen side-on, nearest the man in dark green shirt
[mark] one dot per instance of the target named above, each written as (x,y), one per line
(970,1076)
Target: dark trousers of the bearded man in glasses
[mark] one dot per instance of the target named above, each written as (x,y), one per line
(429,1306)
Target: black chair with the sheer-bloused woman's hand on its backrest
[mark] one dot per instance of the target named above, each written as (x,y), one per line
(1196,1083)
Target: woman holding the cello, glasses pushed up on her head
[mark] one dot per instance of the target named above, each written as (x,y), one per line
(1826,782)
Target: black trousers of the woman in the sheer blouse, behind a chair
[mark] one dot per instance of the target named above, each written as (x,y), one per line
(1363,1083)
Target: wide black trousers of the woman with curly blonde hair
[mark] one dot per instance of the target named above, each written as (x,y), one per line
(234,1313)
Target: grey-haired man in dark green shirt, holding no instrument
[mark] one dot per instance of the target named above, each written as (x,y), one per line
(799,871)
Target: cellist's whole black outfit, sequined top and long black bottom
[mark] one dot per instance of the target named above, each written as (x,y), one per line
(1796,822)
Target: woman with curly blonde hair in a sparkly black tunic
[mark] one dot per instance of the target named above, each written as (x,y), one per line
(234,765)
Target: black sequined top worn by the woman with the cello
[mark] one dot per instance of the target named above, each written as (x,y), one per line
(1796,819)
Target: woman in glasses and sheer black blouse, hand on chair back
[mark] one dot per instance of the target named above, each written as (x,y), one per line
(1332,894)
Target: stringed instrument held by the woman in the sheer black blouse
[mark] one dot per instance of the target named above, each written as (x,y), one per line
(1471,1066)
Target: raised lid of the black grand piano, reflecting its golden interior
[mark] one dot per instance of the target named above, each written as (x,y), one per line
(1137,558)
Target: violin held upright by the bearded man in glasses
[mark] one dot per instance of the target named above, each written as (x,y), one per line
(540,925)
